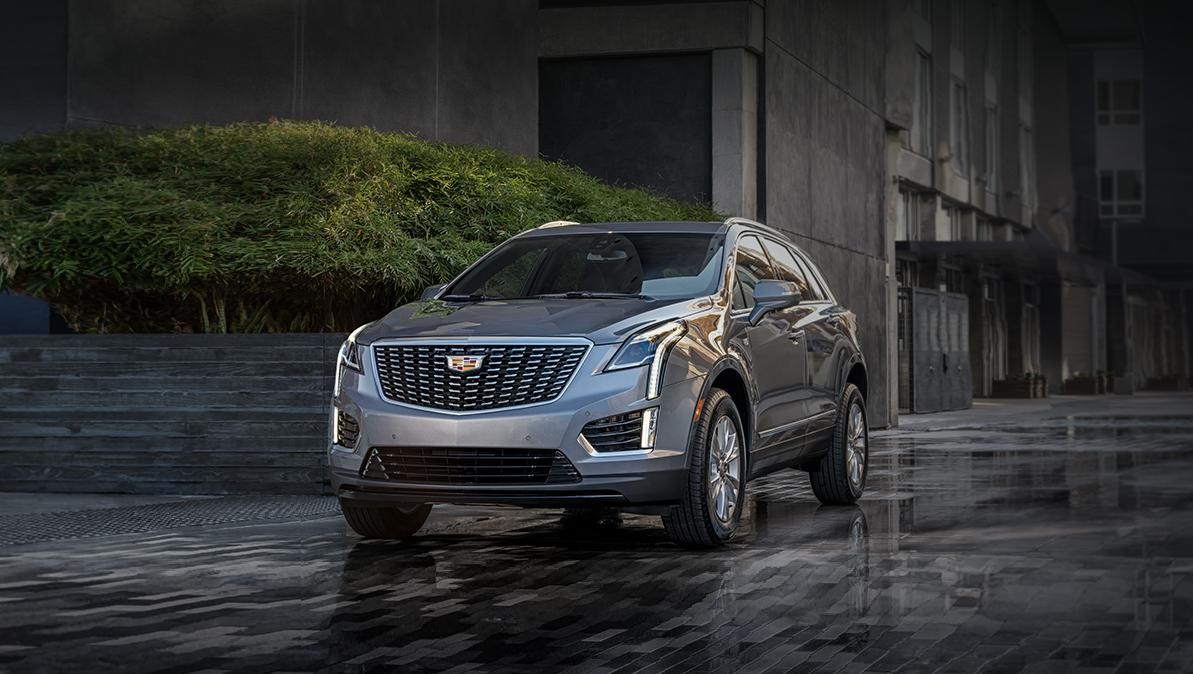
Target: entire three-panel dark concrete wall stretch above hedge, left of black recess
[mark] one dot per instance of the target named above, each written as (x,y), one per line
(456,71)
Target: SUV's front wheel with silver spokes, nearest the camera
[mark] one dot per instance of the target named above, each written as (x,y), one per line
(697,522)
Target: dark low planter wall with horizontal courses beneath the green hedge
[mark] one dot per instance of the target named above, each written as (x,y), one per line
(157,415)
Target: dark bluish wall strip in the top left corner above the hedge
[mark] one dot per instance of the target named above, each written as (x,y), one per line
(33,67)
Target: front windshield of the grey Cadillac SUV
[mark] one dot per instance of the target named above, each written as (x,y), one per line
(659,267)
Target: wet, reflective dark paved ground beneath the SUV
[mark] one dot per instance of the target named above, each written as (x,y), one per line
(1021,536)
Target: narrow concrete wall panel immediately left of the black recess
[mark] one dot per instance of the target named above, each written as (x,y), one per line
(487,78)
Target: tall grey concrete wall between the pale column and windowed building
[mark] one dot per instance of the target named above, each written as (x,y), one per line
(825,139)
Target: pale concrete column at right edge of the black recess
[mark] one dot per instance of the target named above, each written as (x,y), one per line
(735,133)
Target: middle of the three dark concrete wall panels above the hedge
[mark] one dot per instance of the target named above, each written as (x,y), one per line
(370,64)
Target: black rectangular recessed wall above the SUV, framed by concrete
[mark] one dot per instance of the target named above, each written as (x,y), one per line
(641,121)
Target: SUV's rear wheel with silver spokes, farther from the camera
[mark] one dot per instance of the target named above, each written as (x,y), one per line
(838,479)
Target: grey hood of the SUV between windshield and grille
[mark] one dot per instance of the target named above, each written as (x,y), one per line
(603,321)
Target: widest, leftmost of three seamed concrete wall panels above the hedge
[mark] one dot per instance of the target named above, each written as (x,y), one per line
(145,63)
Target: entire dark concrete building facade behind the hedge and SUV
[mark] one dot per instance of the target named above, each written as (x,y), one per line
(925,153)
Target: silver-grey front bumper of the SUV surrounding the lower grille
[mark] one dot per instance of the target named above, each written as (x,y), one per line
(629,479)
